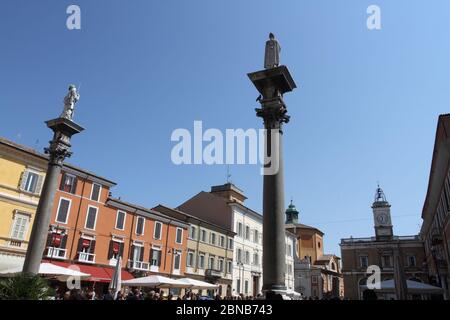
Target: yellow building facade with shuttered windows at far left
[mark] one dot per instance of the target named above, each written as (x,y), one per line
(22,173)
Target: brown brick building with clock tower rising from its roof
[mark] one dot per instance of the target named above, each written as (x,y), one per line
(382,250)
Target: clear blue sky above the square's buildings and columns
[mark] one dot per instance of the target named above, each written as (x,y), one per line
(366,107)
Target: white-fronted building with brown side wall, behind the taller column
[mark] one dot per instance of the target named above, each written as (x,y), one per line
(224,206)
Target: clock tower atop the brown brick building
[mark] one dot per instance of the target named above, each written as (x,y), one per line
(382,216)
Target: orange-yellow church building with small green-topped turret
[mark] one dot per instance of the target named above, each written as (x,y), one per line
(317,275)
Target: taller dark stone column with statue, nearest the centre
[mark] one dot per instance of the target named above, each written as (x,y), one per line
(272,83)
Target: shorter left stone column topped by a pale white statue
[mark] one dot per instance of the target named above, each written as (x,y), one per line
(63,129)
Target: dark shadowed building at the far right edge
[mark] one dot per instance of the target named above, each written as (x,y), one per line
(435,230)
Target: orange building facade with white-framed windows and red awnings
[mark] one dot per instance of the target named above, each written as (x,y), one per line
(91,230)
